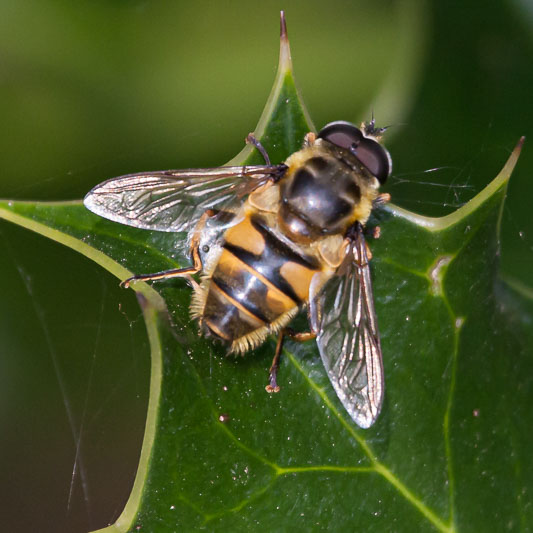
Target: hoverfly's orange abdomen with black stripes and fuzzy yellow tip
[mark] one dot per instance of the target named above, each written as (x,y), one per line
(257,285)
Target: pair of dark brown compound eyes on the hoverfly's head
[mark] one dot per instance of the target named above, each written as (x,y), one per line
(368,151)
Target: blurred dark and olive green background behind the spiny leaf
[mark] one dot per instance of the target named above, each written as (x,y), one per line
(91,90)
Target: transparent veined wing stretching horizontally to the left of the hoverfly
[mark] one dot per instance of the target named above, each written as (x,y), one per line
(174,200)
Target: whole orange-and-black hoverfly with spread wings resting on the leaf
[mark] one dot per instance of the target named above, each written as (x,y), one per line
(270,240)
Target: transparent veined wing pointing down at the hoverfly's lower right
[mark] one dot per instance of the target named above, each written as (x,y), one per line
(348,338)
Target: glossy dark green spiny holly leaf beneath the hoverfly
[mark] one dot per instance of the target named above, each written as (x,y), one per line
(450,450)
